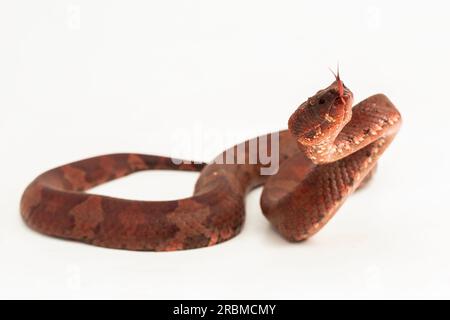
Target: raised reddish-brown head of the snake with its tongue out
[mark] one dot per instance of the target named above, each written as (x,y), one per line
(323,115)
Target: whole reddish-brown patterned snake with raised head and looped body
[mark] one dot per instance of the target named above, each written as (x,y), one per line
(329,150)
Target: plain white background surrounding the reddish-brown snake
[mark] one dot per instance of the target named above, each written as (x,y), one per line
(189,78)
